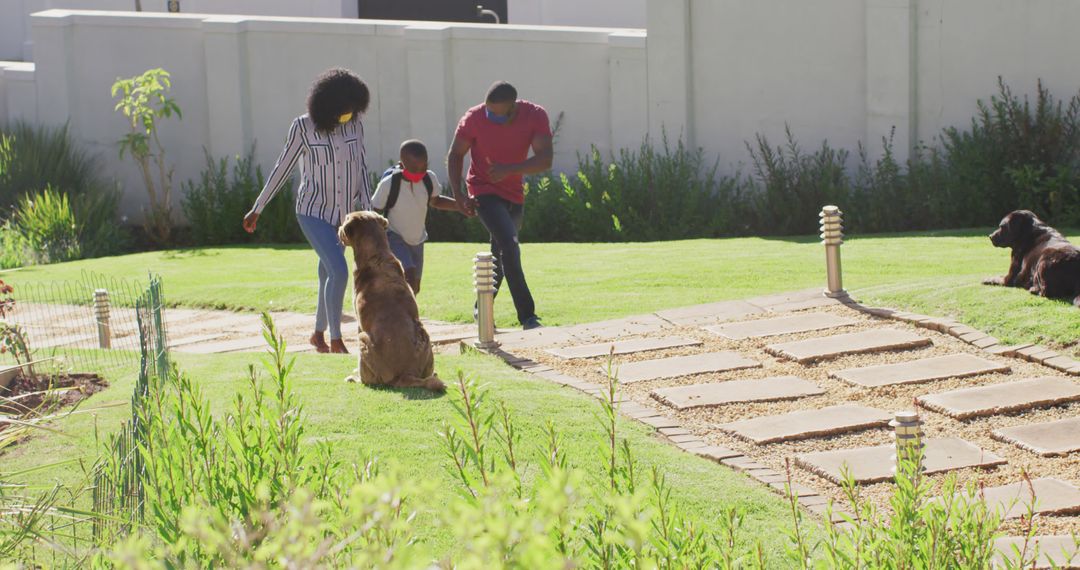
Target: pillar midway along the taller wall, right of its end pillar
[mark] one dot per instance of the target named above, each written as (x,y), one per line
(890,76)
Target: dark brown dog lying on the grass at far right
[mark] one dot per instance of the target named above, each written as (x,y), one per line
(1044,262)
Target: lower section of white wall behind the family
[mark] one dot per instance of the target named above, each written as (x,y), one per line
(240,80)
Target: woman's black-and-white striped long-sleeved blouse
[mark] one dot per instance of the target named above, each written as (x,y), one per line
(334,178)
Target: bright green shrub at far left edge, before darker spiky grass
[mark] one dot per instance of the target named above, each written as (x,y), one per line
(43,230)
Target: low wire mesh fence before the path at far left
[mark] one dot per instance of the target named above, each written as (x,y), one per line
(89,324)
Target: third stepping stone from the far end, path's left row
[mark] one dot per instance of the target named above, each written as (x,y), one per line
(736,392)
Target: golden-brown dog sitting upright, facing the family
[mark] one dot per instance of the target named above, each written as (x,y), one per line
(395,348)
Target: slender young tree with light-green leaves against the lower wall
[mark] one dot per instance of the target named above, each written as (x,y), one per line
(144,101)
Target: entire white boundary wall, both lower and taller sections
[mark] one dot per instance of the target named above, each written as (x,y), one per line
(714,72)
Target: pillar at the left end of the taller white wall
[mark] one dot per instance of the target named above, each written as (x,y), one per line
(669,70)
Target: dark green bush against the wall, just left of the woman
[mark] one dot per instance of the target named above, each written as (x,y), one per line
(215,206)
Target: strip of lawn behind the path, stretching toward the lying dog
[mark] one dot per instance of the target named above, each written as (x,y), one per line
(934,273)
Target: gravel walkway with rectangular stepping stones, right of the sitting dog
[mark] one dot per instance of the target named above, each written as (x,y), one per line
(804,385)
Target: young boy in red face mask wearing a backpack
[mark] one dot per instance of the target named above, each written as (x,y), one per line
(403,197)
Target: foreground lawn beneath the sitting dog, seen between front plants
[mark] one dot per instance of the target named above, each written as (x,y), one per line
(400,427)
